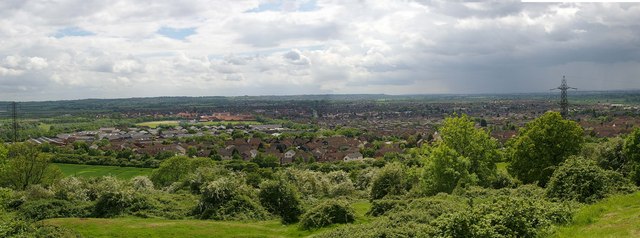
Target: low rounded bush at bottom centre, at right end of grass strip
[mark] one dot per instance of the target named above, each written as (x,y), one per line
(327,213)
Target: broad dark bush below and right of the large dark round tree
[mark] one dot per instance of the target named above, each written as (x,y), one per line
(583,181)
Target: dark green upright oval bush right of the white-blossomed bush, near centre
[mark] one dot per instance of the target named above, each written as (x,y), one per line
(280,198)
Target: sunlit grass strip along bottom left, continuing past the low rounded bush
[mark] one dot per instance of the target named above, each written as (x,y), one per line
(153,227)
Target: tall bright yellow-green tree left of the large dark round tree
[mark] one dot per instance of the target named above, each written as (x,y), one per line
(461,135)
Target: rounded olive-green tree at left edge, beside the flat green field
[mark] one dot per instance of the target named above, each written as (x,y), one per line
(25,166)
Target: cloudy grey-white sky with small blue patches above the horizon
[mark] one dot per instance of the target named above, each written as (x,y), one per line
(74,49)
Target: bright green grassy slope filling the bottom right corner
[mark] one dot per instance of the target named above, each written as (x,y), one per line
(617,216)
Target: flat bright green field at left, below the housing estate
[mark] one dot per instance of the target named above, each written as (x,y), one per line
(81,170)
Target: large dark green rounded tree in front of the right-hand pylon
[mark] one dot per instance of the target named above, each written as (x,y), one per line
(542,145)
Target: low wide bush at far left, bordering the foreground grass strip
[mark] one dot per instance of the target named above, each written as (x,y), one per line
(51,208)
